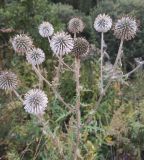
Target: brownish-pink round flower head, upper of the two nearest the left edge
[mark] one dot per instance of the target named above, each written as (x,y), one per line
(21,43)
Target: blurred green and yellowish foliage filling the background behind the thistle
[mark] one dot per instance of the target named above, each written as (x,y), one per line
(117,129)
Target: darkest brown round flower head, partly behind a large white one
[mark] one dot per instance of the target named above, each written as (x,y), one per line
(81,47)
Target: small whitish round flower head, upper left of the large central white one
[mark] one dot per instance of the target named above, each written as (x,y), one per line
(46,29)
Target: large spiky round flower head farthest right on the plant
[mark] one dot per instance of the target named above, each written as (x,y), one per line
(125,28)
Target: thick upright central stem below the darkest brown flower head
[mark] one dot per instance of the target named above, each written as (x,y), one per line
(78,113)
